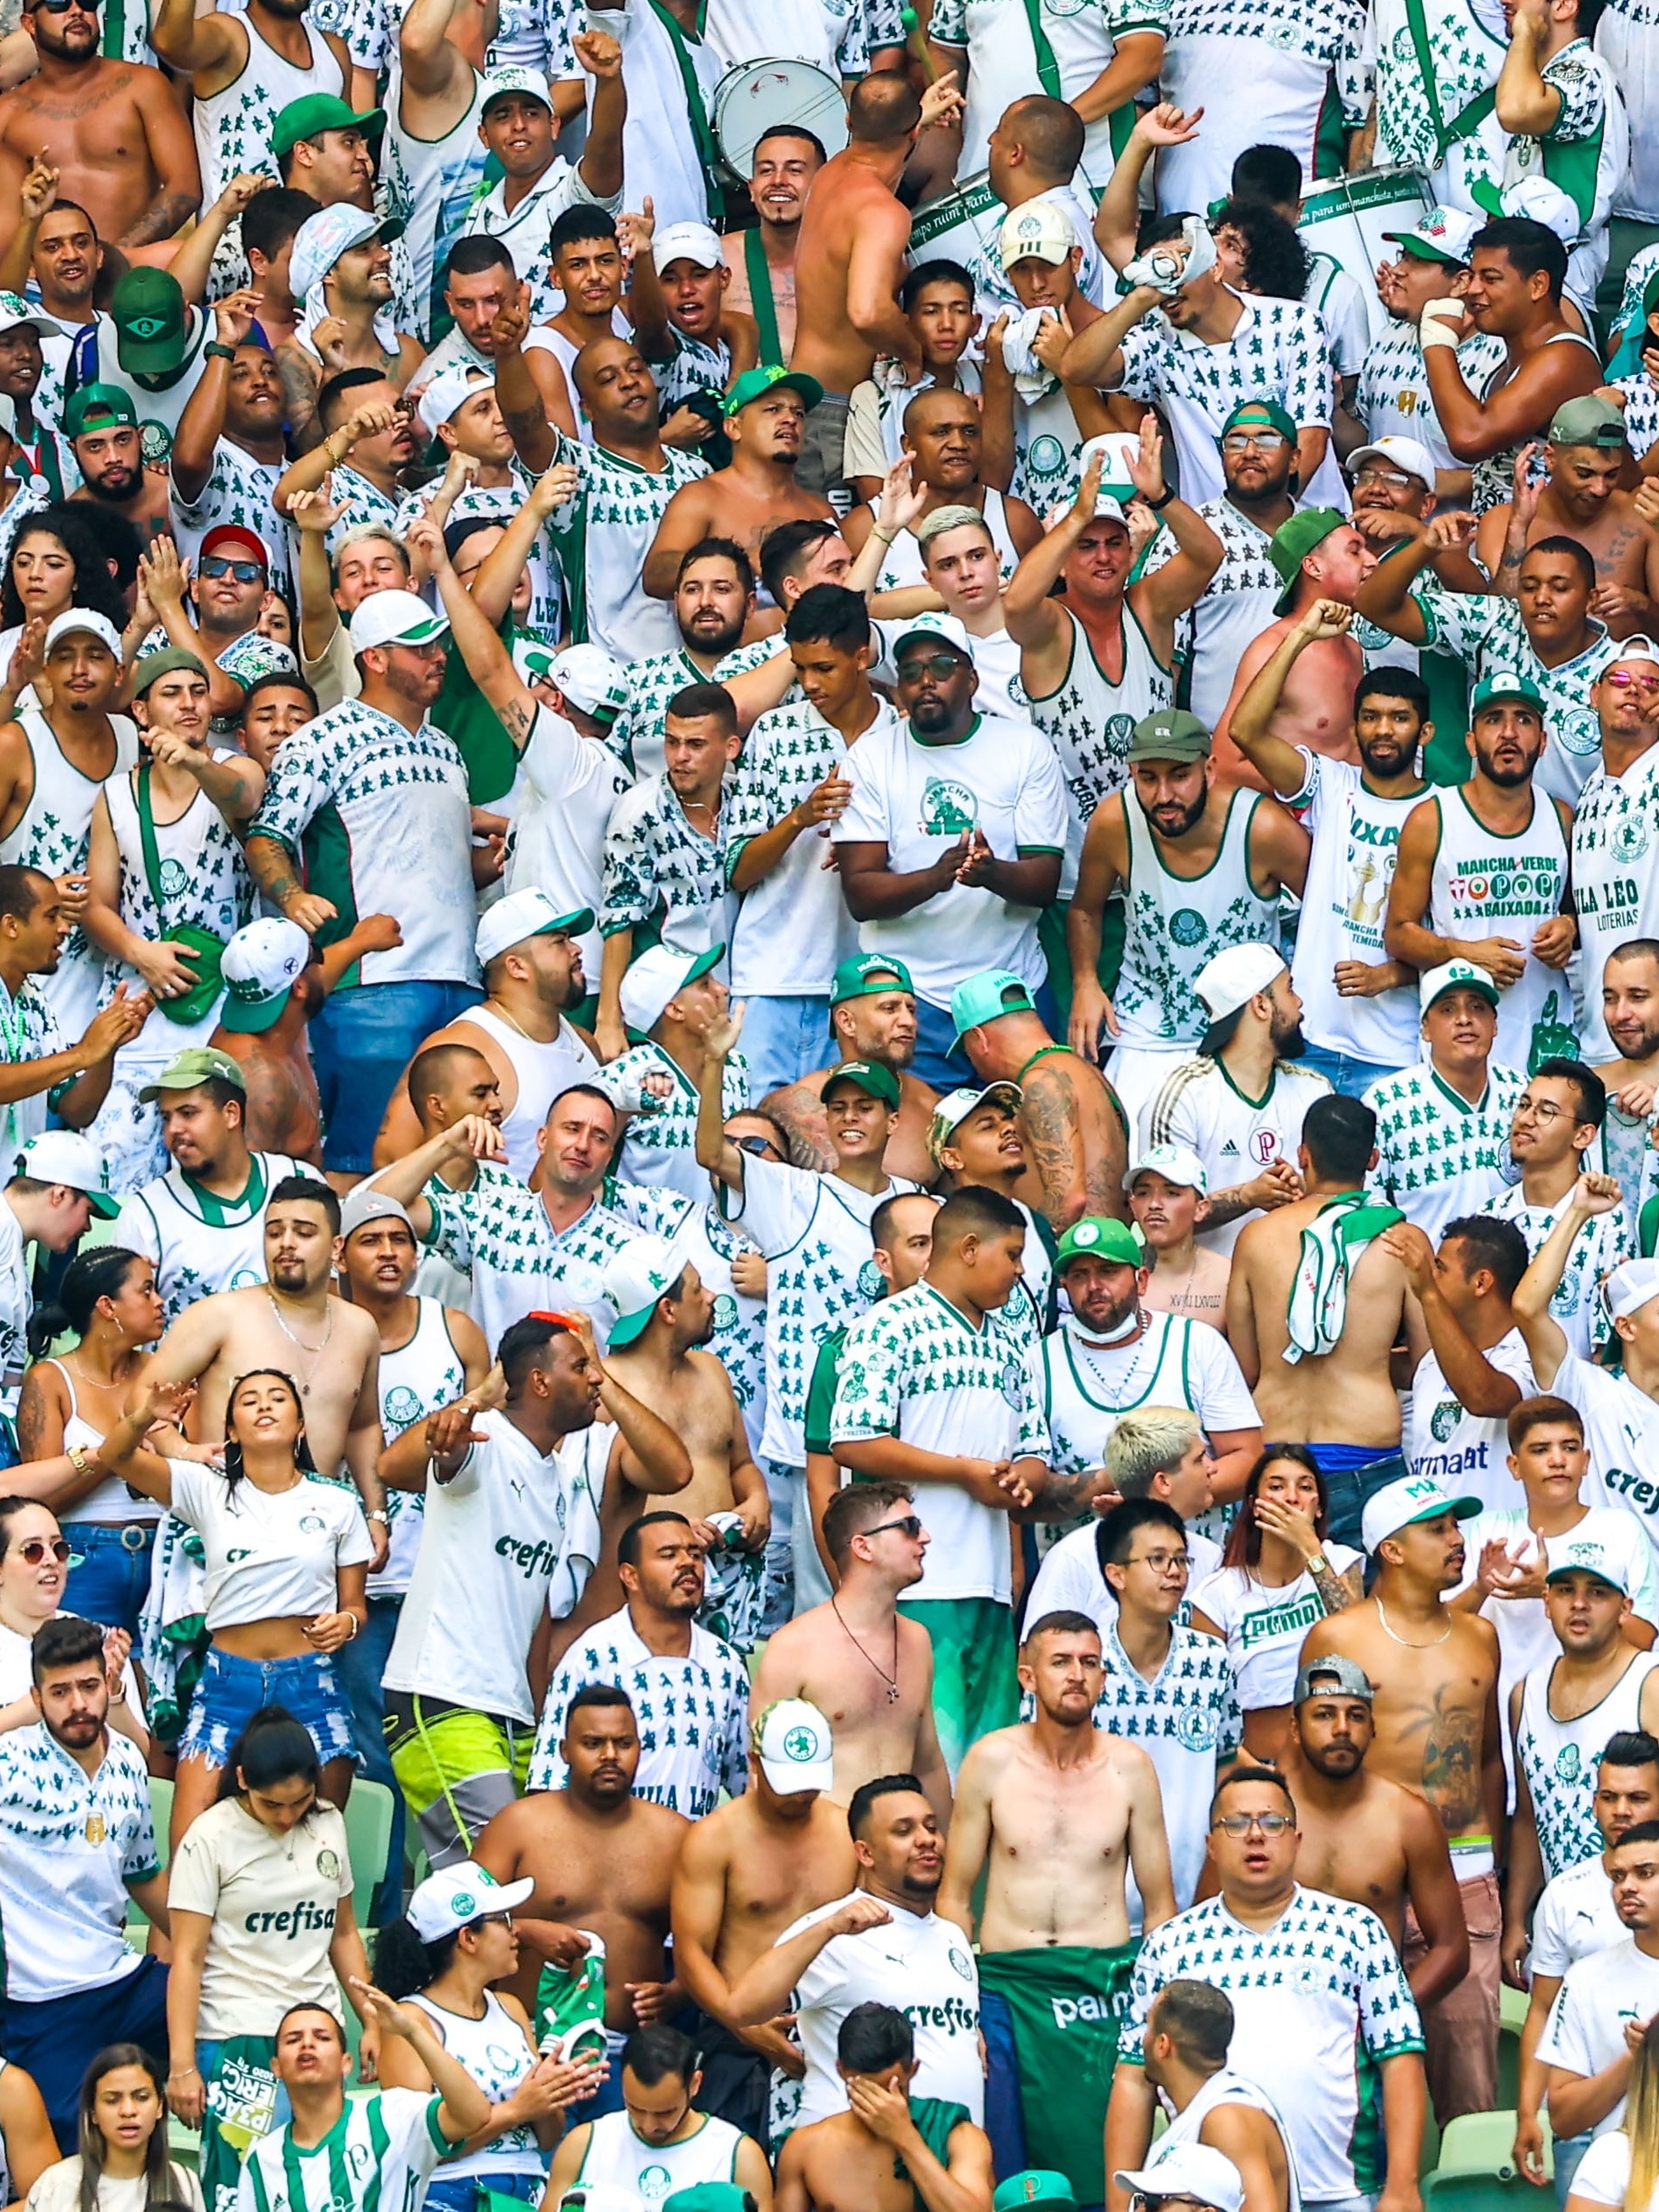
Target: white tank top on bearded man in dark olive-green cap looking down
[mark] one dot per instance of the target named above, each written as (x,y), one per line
(1180,924)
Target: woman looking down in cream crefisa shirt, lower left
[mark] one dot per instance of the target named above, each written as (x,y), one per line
(260,1899)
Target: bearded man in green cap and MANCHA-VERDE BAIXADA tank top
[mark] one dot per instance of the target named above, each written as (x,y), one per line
(1457,893)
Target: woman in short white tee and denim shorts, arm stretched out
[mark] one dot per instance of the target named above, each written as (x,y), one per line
(286,1558)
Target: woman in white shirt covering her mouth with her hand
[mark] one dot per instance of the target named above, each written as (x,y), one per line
(1275,1580)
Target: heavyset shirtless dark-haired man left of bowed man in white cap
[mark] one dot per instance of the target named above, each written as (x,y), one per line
(603,1864)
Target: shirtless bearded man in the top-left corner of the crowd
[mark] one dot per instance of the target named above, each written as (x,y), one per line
(116,129)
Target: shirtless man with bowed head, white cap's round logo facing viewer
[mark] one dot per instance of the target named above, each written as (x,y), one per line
(747,1872)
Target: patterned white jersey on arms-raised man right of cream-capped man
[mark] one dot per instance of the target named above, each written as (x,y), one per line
(1277,351)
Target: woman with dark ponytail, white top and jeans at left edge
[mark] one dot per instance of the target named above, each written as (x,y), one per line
(70,1406)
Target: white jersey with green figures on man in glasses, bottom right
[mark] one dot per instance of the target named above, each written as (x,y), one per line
(1319,2001)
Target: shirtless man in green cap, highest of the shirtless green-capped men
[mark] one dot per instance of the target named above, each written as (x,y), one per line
(766,417)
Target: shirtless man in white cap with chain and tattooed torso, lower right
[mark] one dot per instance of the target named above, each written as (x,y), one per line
(1439,1735)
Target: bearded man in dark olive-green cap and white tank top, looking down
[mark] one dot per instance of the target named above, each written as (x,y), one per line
(1209,864)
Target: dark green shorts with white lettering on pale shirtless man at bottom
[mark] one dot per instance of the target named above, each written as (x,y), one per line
(1067,2010)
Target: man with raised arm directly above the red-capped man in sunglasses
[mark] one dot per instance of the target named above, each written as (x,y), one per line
(229,448)
